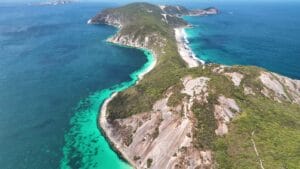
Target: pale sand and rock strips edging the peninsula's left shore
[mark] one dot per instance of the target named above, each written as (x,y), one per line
(105,126)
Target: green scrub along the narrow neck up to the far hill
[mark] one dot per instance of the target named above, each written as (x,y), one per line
(166,73)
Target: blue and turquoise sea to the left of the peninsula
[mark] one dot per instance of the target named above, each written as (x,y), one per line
(55,72)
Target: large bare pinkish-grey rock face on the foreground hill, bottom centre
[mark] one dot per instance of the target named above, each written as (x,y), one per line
(164,135)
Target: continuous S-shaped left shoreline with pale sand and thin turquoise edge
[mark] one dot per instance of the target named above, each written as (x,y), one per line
(136,77)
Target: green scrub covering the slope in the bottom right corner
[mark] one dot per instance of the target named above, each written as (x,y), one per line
(277,136)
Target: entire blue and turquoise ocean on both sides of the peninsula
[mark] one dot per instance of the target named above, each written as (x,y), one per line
(55,71)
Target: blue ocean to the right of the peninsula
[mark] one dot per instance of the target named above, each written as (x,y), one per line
(250,33)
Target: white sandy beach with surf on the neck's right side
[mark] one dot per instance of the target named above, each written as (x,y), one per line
(184,50)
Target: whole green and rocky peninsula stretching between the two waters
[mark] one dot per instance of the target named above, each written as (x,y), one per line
(186,114)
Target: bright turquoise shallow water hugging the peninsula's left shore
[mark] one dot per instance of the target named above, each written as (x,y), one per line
(85,146)
